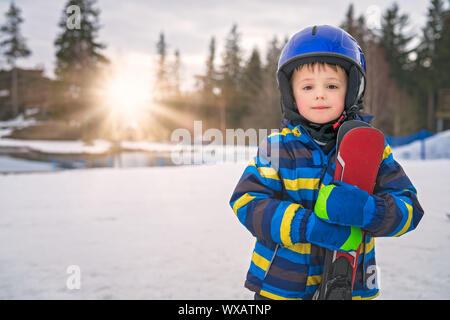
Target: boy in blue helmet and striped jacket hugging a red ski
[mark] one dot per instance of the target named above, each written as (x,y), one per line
(321,78)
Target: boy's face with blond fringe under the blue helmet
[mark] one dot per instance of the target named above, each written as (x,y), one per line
(319,92)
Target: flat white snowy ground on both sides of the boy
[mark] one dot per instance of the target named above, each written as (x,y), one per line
(168,233)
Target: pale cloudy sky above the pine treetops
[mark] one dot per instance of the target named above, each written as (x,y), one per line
(130,29)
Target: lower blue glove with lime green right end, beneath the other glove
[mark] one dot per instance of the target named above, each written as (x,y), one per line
(332,236)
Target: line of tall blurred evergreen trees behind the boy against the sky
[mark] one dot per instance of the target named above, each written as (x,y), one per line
(406,73)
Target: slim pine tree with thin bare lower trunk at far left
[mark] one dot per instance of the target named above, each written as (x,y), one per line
(14,47)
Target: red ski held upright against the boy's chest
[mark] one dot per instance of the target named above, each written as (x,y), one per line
(360,150)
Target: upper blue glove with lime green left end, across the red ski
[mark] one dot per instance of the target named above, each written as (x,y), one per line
(347,205)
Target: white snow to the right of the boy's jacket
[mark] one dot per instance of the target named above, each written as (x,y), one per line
(417,265)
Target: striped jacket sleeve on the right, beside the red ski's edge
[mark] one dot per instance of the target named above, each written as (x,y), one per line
(398,210)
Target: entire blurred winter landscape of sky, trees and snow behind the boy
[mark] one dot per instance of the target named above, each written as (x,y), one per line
(103,84)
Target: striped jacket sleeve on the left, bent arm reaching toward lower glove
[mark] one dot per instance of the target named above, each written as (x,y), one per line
(258,203)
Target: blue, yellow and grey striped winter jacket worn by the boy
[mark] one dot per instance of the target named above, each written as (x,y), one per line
(262,200)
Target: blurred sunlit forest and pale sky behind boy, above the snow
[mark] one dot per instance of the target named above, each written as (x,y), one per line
(157,66)
